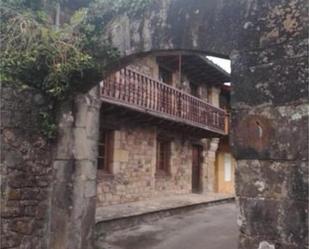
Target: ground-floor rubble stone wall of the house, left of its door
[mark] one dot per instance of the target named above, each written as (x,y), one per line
(133,174)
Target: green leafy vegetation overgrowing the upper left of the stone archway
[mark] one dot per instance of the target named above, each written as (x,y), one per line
(57,59)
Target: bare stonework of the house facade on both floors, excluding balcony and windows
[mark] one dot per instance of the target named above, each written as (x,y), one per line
(132,175)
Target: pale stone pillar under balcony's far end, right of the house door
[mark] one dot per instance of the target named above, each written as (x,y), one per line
(209,166)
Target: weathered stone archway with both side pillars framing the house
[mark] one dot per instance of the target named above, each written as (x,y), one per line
(266,41)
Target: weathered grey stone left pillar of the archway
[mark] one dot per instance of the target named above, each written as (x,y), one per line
(74,186)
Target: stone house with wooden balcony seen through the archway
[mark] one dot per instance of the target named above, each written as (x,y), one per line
(160,127)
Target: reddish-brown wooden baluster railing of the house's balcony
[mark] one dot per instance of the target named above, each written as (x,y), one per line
(135,90)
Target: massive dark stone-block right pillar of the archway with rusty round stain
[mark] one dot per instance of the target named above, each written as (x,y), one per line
(270,126)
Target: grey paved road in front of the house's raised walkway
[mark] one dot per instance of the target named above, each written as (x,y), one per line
(208,228)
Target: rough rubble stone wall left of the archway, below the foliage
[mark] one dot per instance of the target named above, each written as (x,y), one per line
(25,171)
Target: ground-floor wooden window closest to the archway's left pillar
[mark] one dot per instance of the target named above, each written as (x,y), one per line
(105,150)
